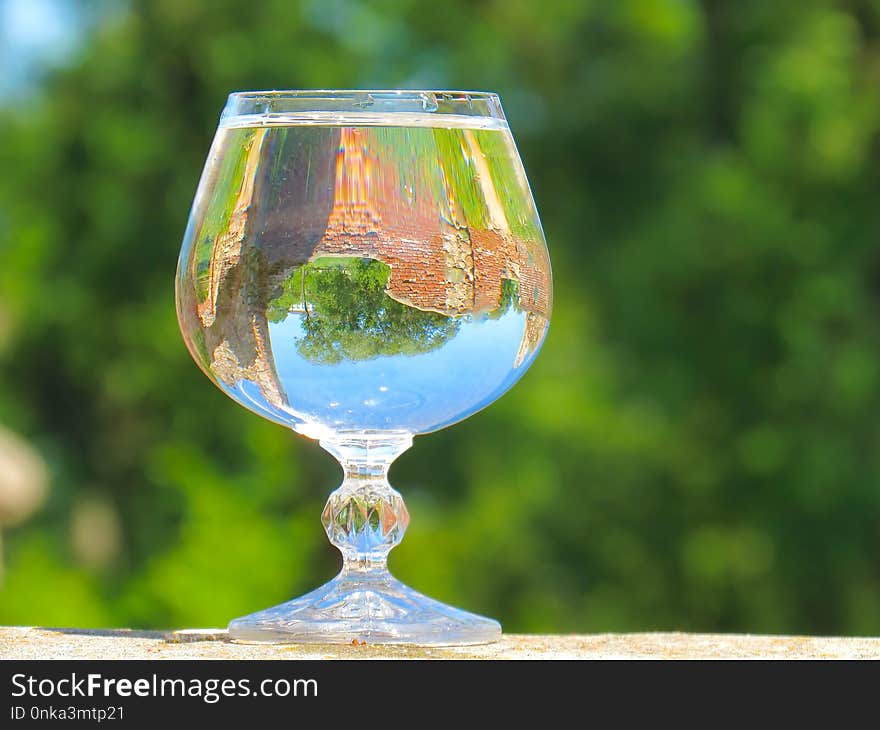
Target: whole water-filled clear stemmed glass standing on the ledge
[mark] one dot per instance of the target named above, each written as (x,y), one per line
(363,267)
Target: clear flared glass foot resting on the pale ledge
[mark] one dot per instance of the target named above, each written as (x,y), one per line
(365,607)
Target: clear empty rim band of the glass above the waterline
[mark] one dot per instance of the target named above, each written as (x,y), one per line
(365,102)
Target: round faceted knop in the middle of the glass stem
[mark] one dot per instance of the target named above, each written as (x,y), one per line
(365,520)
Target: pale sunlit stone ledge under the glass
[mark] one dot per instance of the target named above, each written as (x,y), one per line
(47,643)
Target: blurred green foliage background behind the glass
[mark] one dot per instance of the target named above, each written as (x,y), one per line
(697,445)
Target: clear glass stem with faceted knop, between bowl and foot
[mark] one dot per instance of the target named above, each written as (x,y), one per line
(365,517)
